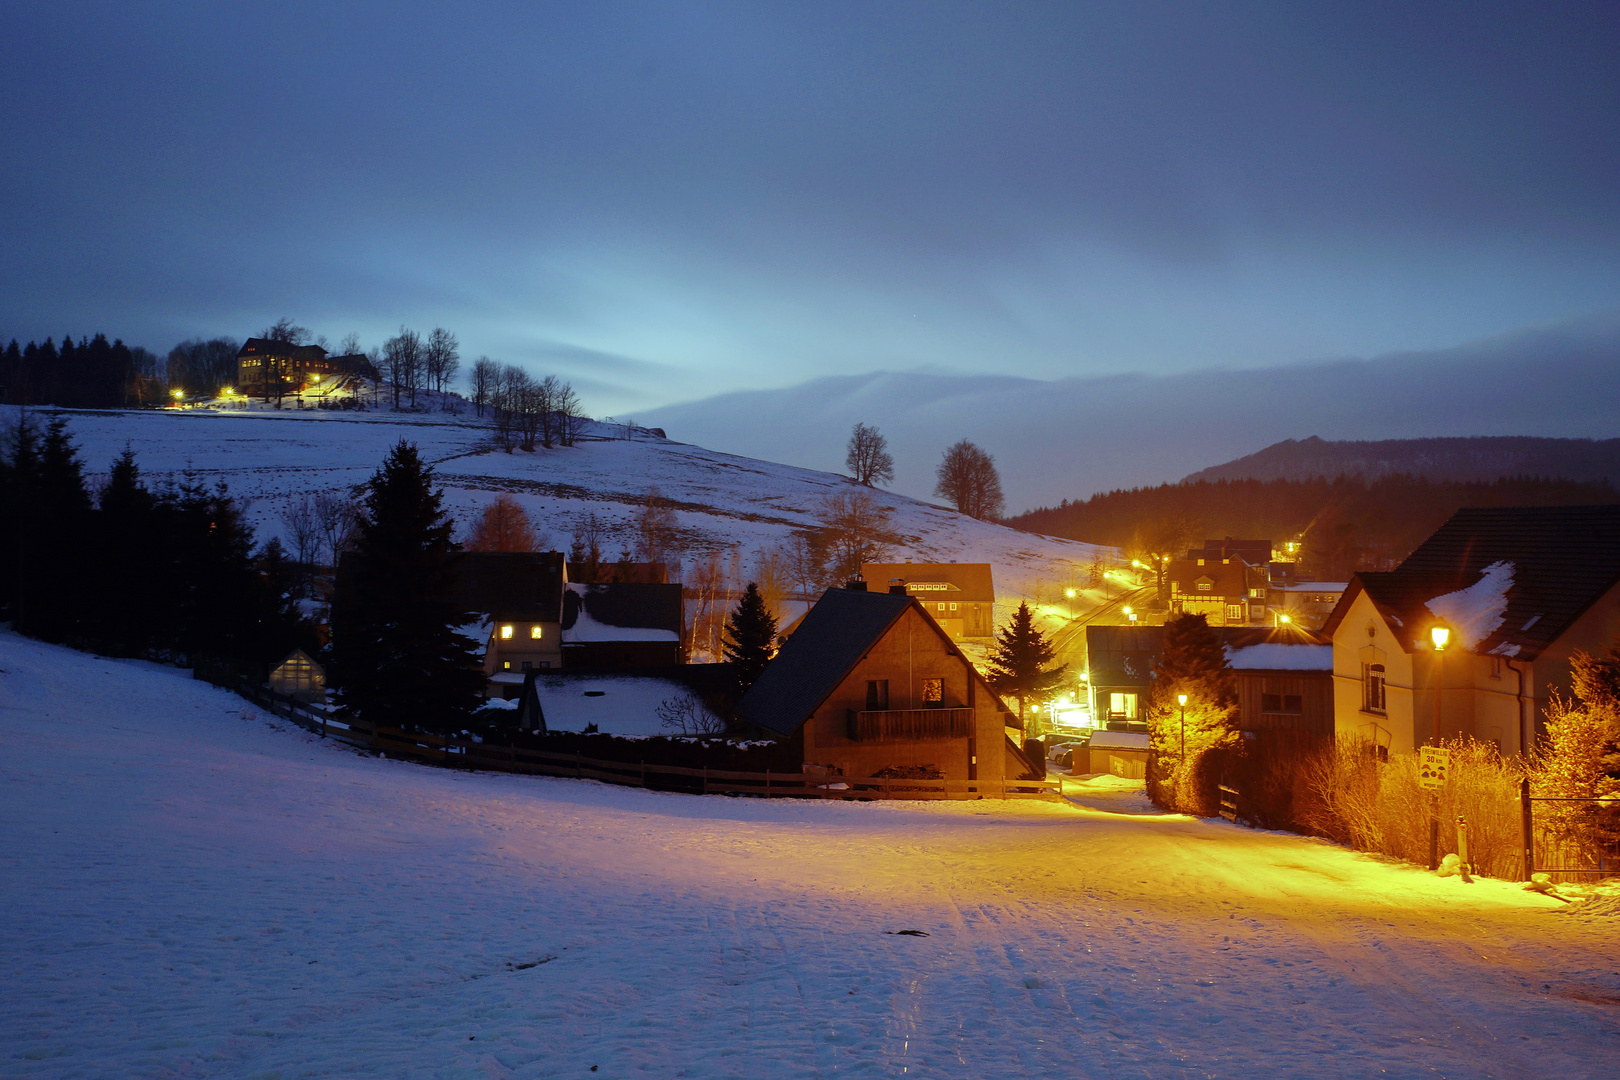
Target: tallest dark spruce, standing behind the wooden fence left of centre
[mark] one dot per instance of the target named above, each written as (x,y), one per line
(398,658)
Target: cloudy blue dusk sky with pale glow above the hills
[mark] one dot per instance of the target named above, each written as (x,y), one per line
(667,202)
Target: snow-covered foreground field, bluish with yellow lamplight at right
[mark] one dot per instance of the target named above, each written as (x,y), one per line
(194,890)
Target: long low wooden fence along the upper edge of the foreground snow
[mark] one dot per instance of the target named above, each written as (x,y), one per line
(498,759)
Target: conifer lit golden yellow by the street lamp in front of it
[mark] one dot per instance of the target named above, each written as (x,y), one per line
(1192,663)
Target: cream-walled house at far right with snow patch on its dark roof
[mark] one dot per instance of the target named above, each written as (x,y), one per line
(1517,590)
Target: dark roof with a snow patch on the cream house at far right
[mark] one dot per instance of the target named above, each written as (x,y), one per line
(1564,559)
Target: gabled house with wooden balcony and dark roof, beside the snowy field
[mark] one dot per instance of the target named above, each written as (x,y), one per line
(871,681)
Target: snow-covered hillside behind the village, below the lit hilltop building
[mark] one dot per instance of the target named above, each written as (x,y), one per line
(725,503)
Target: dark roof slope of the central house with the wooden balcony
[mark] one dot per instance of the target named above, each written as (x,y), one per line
(835,636)
